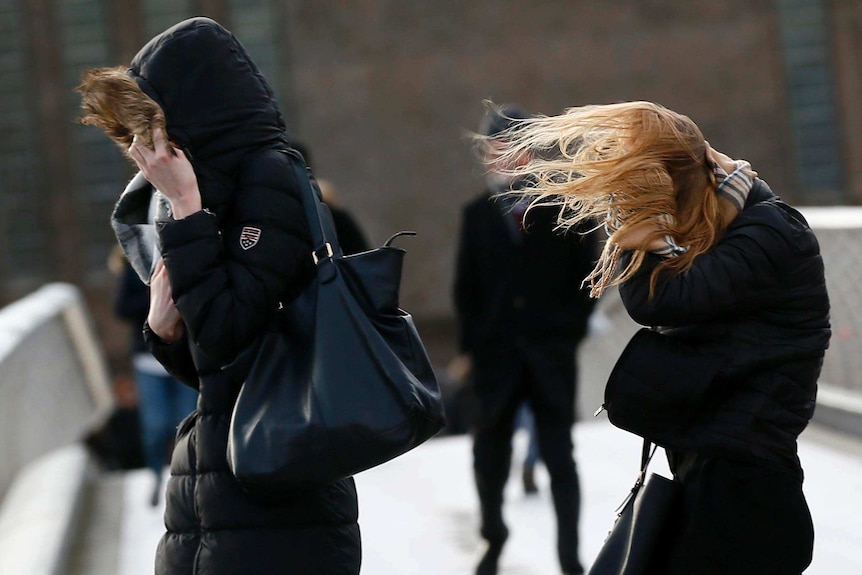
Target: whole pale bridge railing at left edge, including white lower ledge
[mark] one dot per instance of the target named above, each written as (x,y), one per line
(53,389)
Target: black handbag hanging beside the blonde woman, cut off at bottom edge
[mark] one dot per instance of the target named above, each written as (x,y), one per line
(641,534)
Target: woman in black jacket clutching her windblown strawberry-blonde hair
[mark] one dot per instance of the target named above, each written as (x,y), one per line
(702,247)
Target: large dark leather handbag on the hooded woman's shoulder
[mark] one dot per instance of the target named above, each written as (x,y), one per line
(341,382)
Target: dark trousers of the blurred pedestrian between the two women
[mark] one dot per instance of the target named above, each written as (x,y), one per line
(492,456)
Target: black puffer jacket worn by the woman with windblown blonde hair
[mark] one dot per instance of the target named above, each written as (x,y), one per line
(759,299)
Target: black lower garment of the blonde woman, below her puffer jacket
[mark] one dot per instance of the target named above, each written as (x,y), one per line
(738,519)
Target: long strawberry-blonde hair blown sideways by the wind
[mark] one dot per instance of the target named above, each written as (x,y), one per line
(636,161)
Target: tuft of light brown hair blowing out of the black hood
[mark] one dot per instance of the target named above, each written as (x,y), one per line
(114,102)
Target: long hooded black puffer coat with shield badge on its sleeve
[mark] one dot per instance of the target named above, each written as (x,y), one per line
(229,266)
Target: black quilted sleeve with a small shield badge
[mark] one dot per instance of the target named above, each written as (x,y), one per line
(228,282)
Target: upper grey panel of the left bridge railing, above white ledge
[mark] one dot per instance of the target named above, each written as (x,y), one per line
(53,383)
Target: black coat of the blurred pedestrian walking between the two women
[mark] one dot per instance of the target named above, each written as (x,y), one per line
(519,302)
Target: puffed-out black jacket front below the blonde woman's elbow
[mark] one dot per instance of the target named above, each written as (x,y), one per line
(658,384)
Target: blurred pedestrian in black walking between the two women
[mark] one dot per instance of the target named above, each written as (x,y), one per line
(521,314)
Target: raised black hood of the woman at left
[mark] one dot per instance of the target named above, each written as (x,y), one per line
(217,104)
